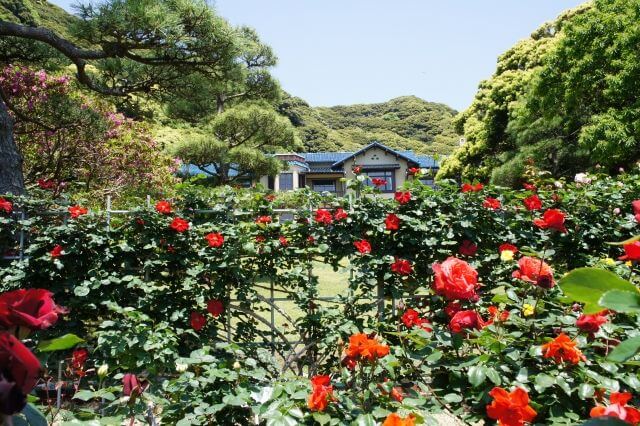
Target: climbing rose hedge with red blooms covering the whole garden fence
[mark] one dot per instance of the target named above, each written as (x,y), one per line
(470,319)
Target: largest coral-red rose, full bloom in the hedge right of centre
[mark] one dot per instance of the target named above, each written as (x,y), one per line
(455,279)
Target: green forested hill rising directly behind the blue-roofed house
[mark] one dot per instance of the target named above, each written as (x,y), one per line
(406,122)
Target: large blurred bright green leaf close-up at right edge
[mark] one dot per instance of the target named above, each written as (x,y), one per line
(587,285)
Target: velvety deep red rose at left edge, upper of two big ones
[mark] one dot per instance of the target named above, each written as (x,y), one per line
(33,308)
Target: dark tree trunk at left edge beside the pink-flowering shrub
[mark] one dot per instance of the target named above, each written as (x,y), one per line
(11,180)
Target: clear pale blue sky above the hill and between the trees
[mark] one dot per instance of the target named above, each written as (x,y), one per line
(337,52)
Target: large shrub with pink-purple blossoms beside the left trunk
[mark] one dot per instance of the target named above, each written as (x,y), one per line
(68,139)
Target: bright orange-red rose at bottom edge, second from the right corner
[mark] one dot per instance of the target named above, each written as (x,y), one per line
(510,409)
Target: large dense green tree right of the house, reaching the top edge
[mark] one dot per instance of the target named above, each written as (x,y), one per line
(565,98)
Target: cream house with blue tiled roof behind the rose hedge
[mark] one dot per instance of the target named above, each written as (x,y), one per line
(325,171)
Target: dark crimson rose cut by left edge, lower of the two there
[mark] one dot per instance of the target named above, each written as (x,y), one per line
(19,372)
